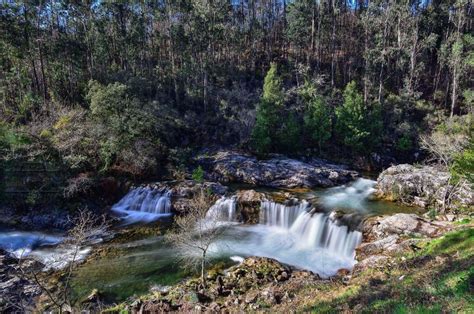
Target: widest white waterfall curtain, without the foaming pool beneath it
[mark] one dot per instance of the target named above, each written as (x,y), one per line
(312,230)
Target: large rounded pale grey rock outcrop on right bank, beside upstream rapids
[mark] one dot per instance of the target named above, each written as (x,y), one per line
(425,186)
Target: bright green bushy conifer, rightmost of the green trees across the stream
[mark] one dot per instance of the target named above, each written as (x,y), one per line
(358,124)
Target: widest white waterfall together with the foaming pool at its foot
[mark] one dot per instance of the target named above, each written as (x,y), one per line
(293,236)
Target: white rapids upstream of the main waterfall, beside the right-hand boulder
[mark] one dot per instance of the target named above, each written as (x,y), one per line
(353,196)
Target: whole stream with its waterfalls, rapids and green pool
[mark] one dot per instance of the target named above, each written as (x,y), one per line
(293,235)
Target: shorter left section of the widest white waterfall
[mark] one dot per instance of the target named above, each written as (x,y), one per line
(279,215)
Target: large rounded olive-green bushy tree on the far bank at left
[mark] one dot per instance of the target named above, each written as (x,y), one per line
(125,128)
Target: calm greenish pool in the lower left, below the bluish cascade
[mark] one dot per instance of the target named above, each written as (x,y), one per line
(129,268)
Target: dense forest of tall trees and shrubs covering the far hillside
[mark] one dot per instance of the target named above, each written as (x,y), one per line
(133,80)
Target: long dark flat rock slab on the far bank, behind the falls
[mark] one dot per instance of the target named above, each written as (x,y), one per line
(279,171)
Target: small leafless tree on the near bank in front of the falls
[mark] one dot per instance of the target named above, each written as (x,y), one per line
(195,232)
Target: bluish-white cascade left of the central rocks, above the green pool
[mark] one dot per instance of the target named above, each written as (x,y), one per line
(144,205)
